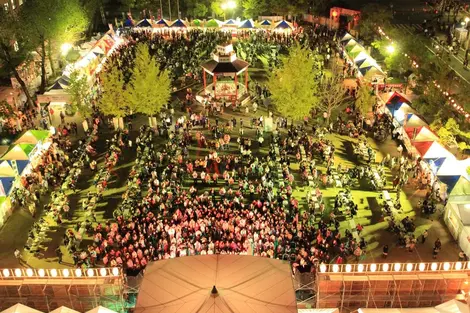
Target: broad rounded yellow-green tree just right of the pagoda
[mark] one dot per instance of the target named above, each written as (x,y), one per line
(294,84)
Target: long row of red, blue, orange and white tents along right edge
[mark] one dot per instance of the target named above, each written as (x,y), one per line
(453,175)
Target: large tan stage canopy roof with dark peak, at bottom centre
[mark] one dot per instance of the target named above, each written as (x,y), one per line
(218,284)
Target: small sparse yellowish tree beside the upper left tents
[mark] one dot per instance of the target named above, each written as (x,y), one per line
(79,93)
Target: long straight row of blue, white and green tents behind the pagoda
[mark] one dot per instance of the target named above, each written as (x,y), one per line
(212,23)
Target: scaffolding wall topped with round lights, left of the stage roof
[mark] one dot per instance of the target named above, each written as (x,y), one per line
(46,290)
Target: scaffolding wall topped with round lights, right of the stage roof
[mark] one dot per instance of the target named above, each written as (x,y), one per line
(350,287)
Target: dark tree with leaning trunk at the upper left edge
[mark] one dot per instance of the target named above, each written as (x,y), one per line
(15,49)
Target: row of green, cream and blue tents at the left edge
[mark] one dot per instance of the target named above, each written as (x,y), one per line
(21,157)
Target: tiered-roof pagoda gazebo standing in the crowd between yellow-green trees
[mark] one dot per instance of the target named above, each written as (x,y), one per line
(224,64)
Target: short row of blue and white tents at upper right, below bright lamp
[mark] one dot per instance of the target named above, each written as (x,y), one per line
(357,54)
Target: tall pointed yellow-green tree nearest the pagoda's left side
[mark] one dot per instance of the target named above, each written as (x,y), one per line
(149,87)
